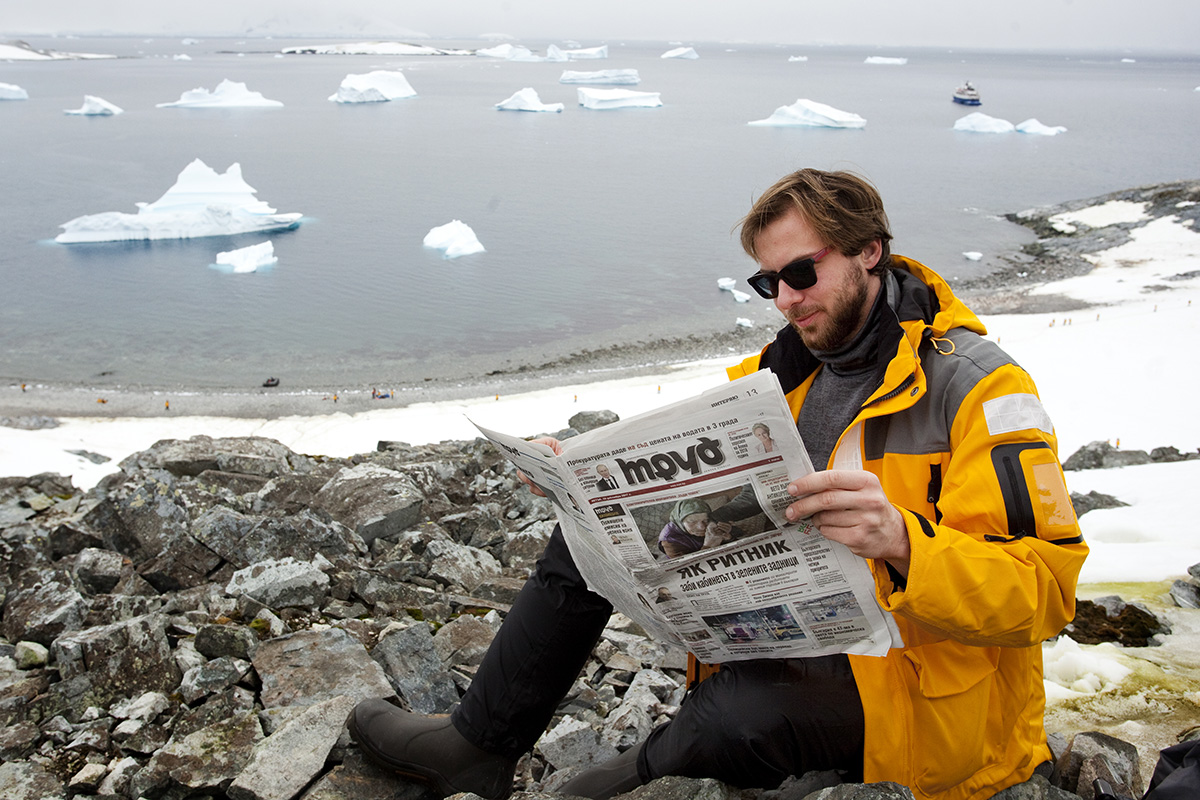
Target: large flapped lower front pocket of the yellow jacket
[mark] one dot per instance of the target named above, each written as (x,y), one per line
(951,688)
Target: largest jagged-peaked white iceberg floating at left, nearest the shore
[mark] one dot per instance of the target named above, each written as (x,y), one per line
(202,203)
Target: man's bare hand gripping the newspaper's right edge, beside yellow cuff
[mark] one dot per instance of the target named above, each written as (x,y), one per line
(849,507)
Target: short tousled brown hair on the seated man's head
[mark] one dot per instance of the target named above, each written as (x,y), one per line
(844,210)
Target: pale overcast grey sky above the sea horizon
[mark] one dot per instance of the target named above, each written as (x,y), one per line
(1125,26)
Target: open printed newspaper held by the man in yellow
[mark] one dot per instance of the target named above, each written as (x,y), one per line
(676,516)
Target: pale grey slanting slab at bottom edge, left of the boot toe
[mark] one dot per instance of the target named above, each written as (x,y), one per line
(290,759)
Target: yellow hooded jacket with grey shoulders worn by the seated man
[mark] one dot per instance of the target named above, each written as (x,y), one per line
(959,441)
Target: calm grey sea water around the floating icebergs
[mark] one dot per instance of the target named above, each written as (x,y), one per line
(602,227)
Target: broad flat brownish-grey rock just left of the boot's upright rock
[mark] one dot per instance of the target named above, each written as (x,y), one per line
(313,666)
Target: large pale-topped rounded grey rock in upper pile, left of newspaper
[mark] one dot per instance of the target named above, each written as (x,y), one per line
(373,501)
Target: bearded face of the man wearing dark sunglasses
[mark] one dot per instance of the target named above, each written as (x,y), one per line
(830,314)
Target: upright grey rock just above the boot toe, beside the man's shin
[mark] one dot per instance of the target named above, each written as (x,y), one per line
(416,671)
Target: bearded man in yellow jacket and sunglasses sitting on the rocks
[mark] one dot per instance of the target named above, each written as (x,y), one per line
(937,465)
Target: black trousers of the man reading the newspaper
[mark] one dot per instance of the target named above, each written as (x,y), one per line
(752,725)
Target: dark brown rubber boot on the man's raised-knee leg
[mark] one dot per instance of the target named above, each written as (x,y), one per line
(429,749)
